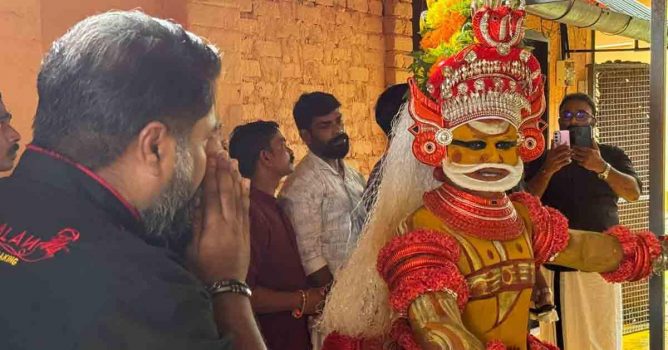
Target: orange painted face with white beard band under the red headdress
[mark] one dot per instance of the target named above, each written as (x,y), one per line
(483,156)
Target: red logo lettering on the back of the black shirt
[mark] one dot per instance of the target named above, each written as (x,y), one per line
(23,246)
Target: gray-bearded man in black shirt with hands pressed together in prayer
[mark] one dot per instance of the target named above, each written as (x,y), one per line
(124,135)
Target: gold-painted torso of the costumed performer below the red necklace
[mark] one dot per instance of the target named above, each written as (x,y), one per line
(500,276)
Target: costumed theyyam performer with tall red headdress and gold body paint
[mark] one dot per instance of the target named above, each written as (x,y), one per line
(447,260)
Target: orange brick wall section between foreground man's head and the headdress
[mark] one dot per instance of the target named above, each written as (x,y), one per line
(276,50)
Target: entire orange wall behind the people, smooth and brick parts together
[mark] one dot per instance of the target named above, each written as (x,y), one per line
(274,50)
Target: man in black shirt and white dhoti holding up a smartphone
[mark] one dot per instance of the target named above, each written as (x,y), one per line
(584,180)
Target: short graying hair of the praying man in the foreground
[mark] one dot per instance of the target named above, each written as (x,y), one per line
(113,73)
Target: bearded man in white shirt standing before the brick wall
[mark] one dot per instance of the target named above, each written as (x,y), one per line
(323,196)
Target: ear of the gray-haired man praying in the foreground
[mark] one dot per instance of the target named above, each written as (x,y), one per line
(155,147)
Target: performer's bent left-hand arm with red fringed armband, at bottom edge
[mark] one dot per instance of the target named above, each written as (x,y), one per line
(427,287)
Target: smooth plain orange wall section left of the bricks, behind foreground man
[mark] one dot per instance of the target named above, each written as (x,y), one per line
(27,30)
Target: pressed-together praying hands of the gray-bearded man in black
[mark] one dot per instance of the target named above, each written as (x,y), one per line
(220,248)
